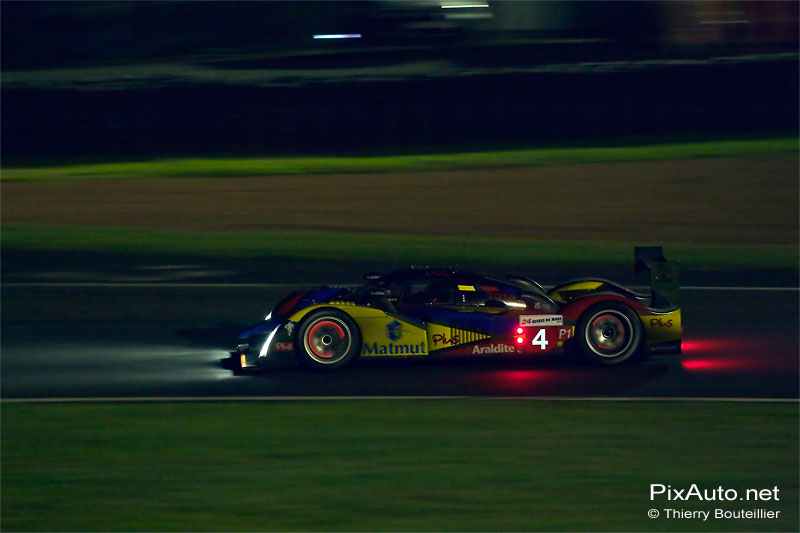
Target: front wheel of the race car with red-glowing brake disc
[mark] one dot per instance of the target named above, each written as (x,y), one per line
(326,340)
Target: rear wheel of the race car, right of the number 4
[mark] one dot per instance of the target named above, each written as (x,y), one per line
(609,333)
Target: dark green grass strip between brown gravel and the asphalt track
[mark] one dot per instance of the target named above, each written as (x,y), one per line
(403,249)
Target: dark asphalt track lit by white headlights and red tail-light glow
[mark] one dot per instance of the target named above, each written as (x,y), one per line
(171,340)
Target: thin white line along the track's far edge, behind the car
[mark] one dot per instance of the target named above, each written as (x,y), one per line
(173,285)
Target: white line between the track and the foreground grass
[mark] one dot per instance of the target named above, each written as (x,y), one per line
(231,399)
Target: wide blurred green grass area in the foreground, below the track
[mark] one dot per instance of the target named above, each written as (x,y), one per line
(389,465)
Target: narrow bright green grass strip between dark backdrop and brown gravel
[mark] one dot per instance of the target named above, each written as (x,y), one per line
(208,167)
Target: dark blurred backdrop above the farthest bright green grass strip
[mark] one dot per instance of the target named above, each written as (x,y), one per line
(132,79)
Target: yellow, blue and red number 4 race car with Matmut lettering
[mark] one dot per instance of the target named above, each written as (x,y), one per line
(419,312)
